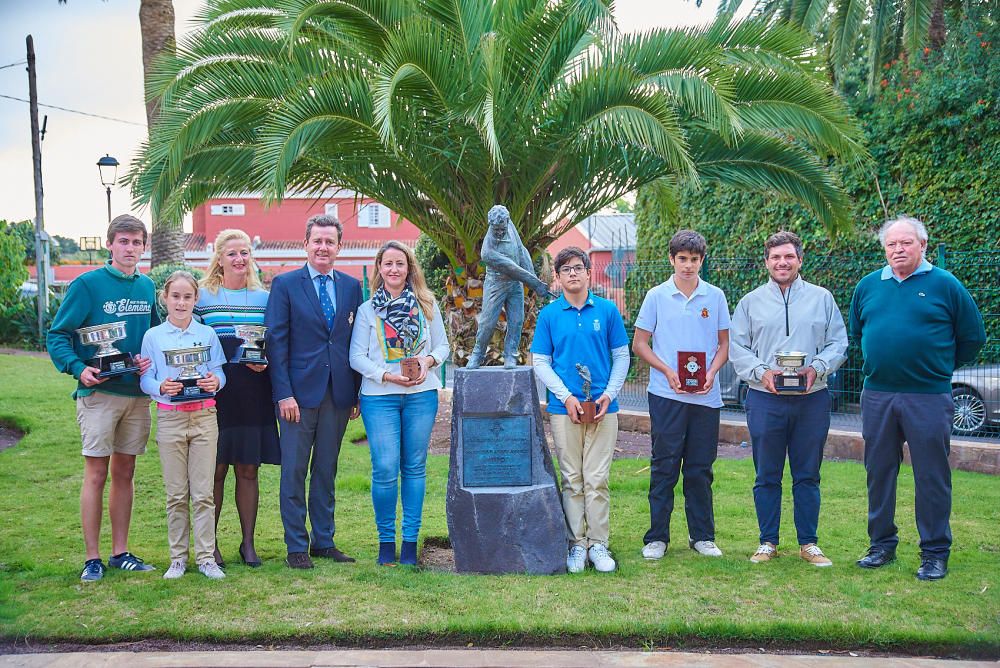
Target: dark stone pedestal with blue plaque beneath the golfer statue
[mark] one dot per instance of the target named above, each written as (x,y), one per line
(503,507)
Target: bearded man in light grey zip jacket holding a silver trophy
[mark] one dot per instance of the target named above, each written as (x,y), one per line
(787,314)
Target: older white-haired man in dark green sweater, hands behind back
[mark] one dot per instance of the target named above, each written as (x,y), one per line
(917,324)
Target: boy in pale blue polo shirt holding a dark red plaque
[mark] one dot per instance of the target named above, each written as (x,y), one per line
(683,314)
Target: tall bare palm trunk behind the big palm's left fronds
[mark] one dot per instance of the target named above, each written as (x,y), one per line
(156,23)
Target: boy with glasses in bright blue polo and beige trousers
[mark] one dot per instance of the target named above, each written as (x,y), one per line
(578,334)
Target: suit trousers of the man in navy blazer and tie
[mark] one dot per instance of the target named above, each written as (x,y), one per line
(311,446)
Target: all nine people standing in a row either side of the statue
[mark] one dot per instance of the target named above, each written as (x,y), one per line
(332,356)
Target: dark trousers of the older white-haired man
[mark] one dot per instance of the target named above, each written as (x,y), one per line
(924,422)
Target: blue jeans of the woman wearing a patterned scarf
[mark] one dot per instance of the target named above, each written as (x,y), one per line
(399,432)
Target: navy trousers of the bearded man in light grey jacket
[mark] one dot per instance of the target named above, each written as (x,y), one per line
(796,426)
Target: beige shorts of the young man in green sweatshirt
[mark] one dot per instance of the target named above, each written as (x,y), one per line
(110,423)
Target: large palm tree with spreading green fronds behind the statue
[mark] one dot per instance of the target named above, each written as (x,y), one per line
(442,108)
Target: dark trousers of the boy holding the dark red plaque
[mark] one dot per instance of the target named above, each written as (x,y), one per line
(685,440)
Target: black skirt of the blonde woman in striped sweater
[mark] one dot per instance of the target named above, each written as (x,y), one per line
(248,429)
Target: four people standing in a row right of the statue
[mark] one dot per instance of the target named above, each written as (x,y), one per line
(916,324)
